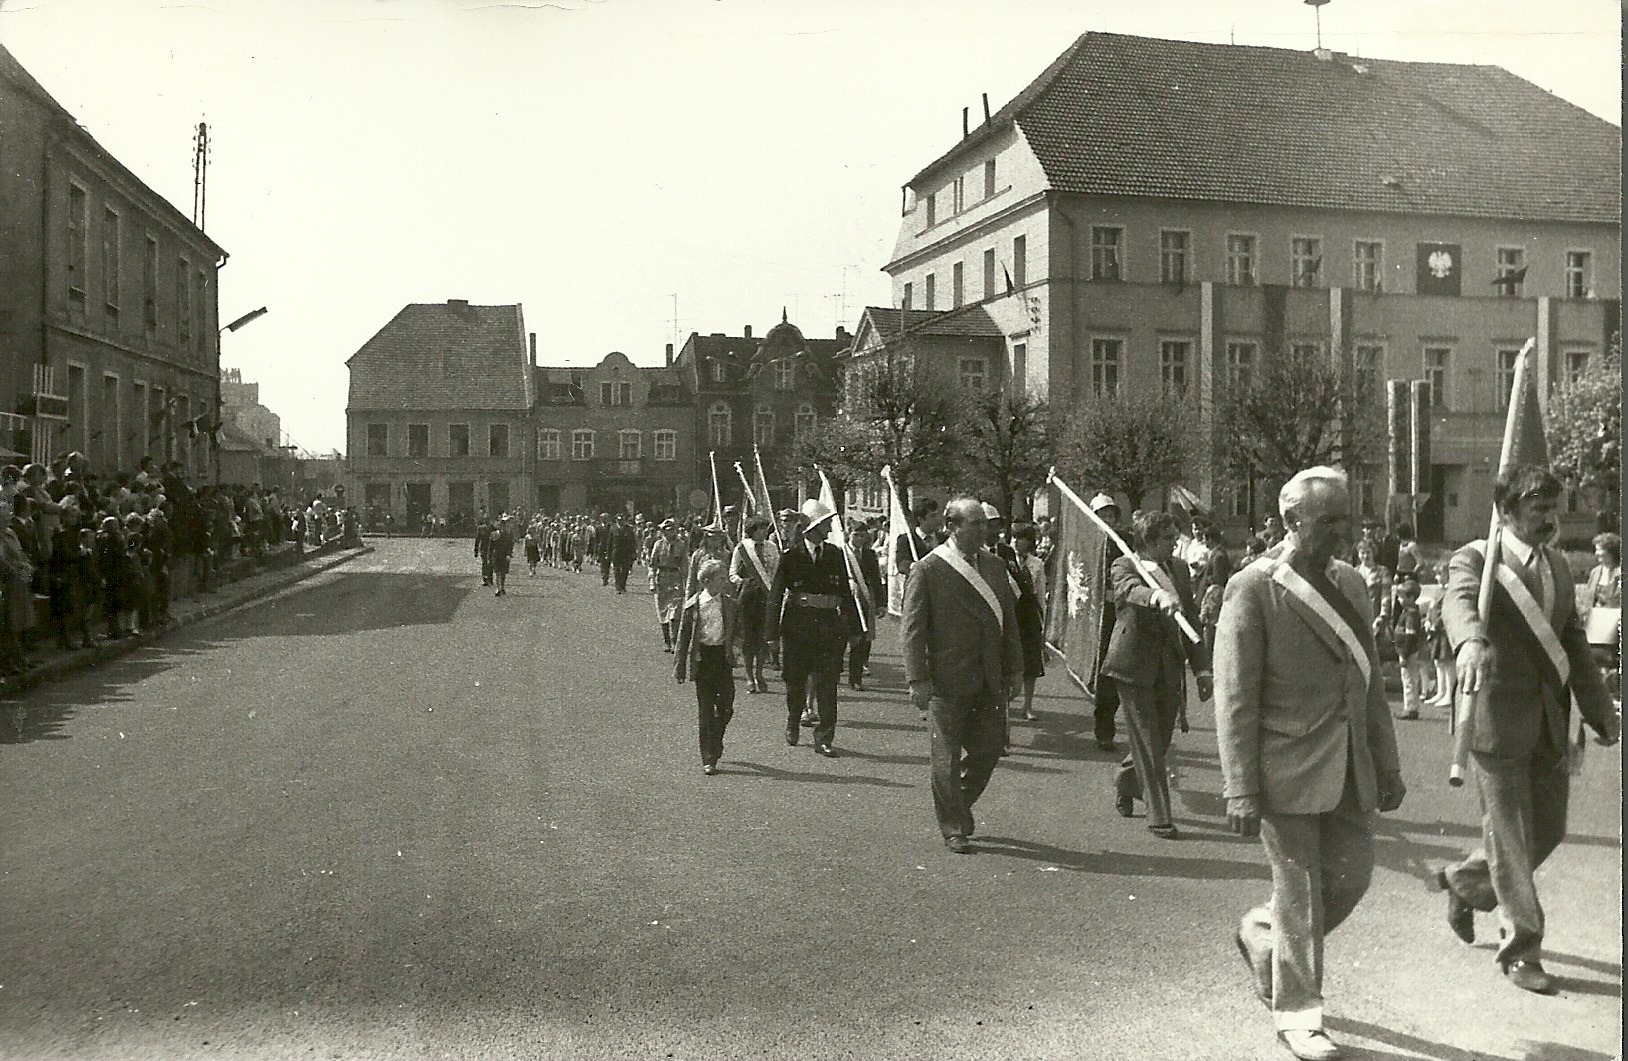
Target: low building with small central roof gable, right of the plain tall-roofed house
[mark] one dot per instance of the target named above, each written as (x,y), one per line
(615,439)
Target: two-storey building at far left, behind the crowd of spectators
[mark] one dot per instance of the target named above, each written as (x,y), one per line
(108,300)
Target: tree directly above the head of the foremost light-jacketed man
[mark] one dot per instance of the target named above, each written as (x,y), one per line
(1293,413)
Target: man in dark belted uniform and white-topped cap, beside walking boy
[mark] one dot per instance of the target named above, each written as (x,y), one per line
(812,609)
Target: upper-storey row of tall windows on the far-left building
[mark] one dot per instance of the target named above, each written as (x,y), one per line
(188,284)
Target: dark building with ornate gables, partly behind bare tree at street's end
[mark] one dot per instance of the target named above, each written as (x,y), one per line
(759,391)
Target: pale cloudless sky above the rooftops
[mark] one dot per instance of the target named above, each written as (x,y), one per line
(629,170)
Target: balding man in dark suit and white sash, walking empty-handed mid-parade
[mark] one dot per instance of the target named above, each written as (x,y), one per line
(963,660)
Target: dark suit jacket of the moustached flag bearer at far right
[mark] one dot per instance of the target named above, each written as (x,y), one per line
(1521,694)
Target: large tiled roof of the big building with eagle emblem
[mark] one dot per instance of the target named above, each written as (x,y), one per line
(1139,116)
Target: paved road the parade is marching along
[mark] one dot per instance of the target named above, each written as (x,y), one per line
(388,816)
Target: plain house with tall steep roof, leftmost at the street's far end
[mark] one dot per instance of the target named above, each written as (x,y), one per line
(439,417)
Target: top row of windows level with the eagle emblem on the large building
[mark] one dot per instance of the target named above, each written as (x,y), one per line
(1306,263)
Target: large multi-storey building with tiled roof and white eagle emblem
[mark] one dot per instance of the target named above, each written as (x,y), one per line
(1158,214)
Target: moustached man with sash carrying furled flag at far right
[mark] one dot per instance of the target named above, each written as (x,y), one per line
(1533,658)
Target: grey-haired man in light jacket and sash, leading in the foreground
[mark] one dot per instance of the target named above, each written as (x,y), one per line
(1306,743)
